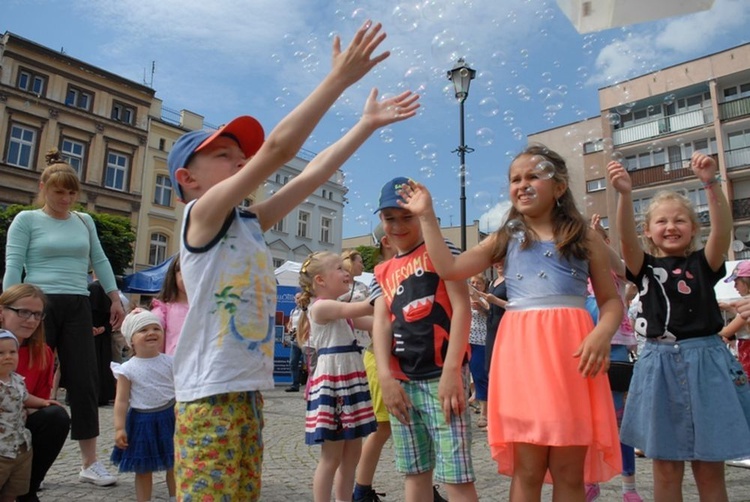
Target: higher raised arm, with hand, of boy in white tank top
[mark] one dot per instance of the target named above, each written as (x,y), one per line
(286,139)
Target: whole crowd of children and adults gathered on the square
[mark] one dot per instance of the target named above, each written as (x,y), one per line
(409,357)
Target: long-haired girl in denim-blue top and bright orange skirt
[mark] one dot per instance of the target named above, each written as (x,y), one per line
(550,410)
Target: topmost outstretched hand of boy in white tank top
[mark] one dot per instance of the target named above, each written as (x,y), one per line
(357,59)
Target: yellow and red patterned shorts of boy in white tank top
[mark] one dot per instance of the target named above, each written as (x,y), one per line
(219,448)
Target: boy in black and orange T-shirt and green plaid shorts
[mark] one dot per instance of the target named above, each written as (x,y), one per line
(421,340)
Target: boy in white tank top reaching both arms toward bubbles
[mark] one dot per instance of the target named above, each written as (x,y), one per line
(224,357)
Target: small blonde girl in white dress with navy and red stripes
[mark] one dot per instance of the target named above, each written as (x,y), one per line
(339,410)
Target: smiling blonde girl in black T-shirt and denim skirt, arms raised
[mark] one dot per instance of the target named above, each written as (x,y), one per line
(685,381)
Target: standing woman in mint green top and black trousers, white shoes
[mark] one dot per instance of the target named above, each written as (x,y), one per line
(54,246)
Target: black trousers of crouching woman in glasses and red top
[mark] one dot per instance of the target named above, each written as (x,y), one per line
(49,427)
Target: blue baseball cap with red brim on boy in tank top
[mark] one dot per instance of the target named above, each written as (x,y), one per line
(245,130)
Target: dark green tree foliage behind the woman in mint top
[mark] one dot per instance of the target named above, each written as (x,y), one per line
(115,234)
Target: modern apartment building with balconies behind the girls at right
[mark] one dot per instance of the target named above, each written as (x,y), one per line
(654,123)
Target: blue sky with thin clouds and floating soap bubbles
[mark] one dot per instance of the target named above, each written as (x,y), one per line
(226,58)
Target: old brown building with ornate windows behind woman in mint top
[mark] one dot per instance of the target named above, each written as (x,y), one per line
(98,121)
